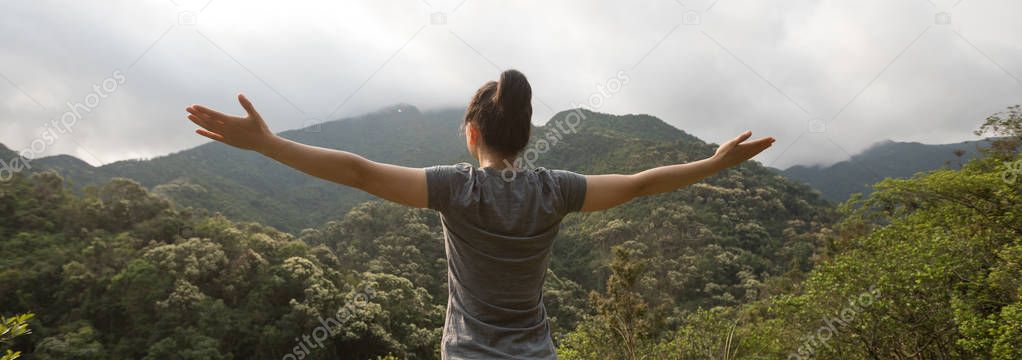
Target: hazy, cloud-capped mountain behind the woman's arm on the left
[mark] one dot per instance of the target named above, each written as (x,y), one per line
(245,186)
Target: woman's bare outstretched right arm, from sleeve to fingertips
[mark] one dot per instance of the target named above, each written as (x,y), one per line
(606,192)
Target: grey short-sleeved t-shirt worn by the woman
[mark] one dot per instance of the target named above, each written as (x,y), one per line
(498,232)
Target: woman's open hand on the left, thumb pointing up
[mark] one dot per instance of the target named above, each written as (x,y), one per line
(248,132)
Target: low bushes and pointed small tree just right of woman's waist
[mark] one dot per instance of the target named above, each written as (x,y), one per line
(626,328)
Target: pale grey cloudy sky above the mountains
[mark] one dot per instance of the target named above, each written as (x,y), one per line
(826,78)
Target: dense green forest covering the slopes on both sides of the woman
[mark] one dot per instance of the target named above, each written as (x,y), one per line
(746,265)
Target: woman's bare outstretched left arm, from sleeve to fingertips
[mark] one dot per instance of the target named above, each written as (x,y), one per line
(399,185)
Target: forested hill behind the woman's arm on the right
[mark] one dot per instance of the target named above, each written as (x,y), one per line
(710,245)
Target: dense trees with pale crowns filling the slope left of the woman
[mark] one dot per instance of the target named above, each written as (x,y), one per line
(119,273)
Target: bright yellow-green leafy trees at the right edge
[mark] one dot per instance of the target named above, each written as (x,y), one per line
(940,251)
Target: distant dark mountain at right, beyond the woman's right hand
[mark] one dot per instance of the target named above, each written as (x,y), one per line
(884,160)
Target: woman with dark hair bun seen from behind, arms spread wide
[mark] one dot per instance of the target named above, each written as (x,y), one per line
(498,230)
